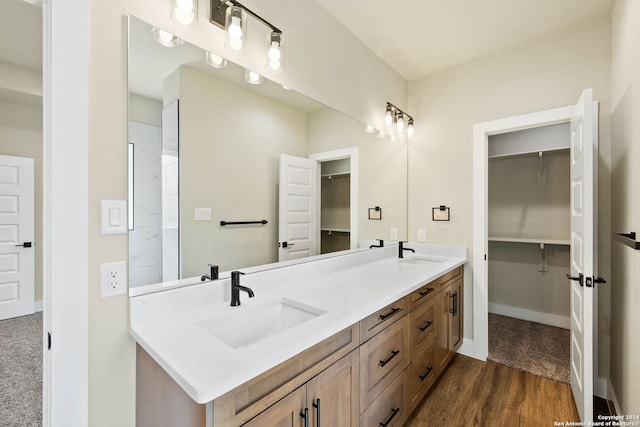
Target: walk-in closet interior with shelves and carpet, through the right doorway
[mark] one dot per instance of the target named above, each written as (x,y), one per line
(529,228)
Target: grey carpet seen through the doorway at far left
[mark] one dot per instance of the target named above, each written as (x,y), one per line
(21,371)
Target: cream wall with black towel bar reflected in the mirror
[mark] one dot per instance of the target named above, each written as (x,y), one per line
(230,145)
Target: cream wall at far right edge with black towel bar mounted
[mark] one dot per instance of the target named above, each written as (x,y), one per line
(625,209)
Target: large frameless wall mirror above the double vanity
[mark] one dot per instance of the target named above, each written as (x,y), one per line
(235,174)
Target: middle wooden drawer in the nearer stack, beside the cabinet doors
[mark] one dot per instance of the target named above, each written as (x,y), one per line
(382,358)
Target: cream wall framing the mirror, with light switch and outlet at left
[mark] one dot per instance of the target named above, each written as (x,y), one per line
(323,60)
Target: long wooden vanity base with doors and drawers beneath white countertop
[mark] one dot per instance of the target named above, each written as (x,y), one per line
(374,373)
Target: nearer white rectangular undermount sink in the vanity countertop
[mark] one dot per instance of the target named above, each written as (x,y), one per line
(249,325)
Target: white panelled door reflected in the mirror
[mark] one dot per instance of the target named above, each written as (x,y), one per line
(298,221)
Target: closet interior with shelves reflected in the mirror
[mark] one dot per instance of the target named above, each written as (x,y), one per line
(335,206)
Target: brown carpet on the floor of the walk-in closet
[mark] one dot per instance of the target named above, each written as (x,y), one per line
(532,347)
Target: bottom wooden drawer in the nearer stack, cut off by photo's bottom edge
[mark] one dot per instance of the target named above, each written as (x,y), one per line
(390,408)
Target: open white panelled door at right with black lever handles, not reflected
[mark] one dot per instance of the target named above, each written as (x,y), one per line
(583,218)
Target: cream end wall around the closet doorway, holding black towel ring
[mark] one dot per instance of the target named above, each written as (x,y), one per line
(543,75)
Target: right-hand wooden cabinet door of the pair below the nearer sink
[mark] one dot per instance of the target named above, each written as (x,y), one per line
(332,396)
